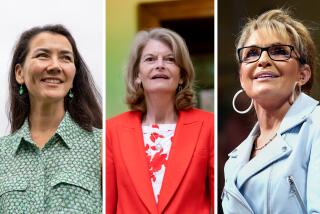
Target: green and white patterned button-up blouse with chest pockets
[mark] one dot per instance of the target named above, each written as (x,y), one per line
(63,177)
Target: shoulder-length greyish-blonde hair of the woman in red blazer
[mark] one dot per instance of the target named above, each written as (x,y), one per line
(135,95)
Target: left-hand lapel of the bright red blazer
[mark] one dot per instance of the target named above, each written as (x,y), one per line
(133,154)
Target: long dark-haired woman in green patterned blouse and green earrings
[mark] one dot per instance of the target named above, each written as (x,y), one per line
(51,161)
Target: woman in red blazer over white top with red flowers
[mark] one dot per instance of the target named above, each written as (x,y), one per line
(160,154)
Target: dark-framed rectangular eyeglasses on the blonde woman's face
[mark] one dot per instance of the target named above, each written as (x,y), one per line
(276,52)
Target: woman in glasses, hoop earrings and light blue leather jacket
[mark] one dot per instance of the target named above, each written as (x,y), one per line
(277,168)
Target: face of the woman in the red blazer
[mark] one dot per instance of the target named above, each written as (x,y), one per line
(158,71)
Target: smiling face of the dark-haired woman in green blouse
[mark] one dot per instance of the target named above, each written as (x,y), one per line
(48,70)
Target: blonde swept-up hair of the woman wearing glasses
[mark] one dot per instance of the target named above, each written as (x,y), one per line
(279,21)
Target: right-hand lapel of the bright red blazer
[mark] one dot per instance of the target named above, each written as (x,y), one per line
(184,143)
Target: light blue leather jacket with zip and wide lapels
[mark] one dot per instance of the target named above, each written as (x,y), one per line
(285,176)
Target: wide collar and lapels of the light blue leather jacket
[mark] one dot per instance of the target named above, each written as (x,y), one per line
(298,112)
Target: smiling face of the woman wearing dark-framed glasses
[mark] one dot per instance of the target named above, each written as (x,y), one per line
(266,79)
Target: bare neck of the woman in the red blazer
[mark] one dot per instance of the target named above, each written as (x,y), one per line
(160,109)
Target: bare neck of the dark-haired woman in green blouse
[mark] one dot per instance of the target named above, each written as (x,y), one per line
(44,120)
